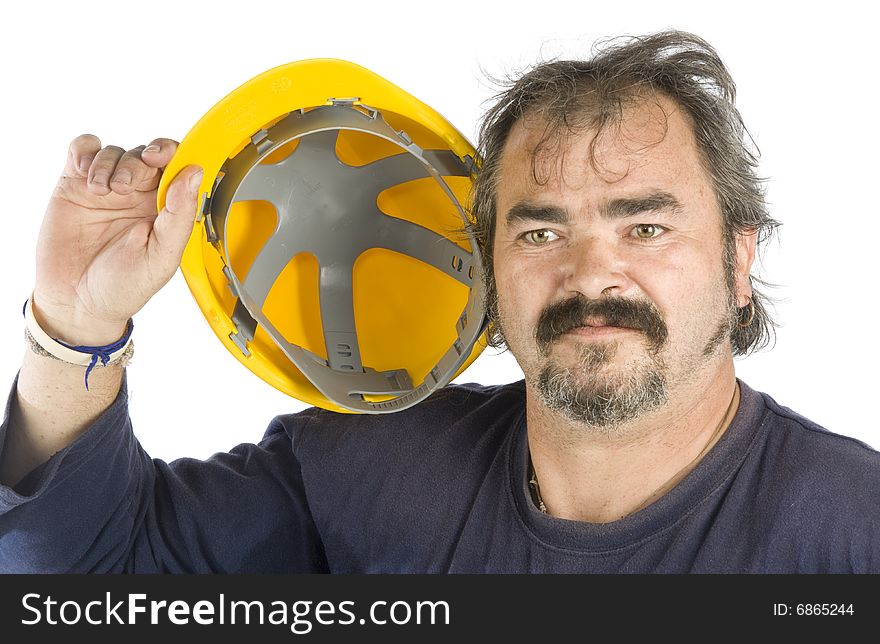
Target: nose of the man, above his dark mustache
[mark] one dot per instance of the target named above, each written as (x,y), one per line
(595,267)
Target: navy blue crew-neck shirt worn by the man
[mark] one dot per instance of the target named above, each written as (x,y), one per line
(440,487)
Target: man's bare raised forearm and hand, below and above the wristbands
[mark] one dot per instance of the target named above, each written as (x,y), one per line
(103,252)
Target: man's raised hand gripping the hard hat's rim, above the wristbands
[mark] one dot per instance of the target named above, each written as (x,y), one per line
(103,250)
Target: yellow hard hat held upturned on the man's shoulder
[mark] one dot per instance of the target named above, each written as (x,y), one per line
(330,254)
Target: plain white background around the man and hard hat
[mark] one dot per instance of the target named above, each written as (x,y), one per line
(130,72)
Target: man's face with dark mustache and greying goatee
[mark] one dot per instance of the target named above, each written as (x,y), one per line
(610,275)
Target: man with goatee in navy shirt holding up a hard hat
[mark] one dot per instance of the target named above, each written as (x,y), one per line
(619,214)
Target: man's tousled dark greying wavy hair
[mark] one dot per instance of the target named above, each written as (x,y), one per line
(568,95)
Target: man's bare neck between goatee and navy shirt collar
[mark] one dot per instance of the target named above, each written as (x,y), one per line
(587,474)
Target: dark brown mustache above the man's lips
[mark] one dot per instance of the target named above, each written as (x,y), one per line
(561,317)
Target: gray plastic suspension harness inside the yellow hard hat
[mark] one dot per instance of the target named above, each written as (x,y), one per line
(328,208)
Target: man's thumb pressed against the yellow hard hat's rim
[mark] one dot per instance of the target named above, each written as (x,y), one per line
(173,226)
